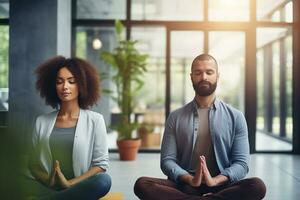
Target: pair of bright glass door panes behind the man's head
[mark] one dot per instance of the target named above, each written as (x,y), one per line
(228,47)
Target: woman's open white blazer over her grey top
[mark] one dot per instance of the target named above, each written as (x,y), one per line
(90,142)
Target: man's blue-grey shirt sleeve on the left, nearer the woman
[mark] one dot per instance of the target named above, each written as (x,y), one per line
(168,160)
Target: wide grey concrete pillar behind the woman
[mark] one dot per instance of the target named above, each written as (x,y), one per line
(39,30)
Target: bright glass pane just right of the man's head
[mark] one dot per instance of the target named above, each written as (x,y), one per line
(231,62)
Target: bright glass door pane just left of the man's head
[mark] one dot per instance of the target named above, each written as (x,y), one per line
(185,46)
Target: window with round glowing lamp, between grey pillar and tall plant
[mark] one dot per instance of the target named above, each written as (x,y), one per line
(88,48)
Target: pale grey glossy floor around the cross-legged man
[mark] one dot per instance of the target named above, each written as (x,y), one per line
(280,172)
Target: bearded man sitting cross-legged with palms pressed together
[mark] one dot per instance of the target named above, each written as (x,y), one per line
(205,148)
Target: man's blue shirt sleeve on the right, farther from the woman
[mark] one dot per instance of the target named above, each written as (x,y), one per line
(240,155)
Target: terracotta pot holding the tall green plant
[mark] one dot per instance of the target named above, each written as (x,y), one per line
(128,148)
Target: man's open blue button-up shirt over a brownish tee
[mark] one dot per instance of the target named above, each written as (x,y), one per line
(228,129)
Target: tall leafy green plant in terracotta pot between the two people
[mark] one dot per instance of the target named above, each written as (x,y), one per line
(129,65)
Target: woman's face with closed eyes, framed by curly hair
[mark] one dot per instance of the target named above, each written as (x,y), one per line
(66,85)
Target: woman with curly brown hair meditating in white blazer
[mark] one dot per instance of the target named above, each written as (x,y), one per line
(70,151)
